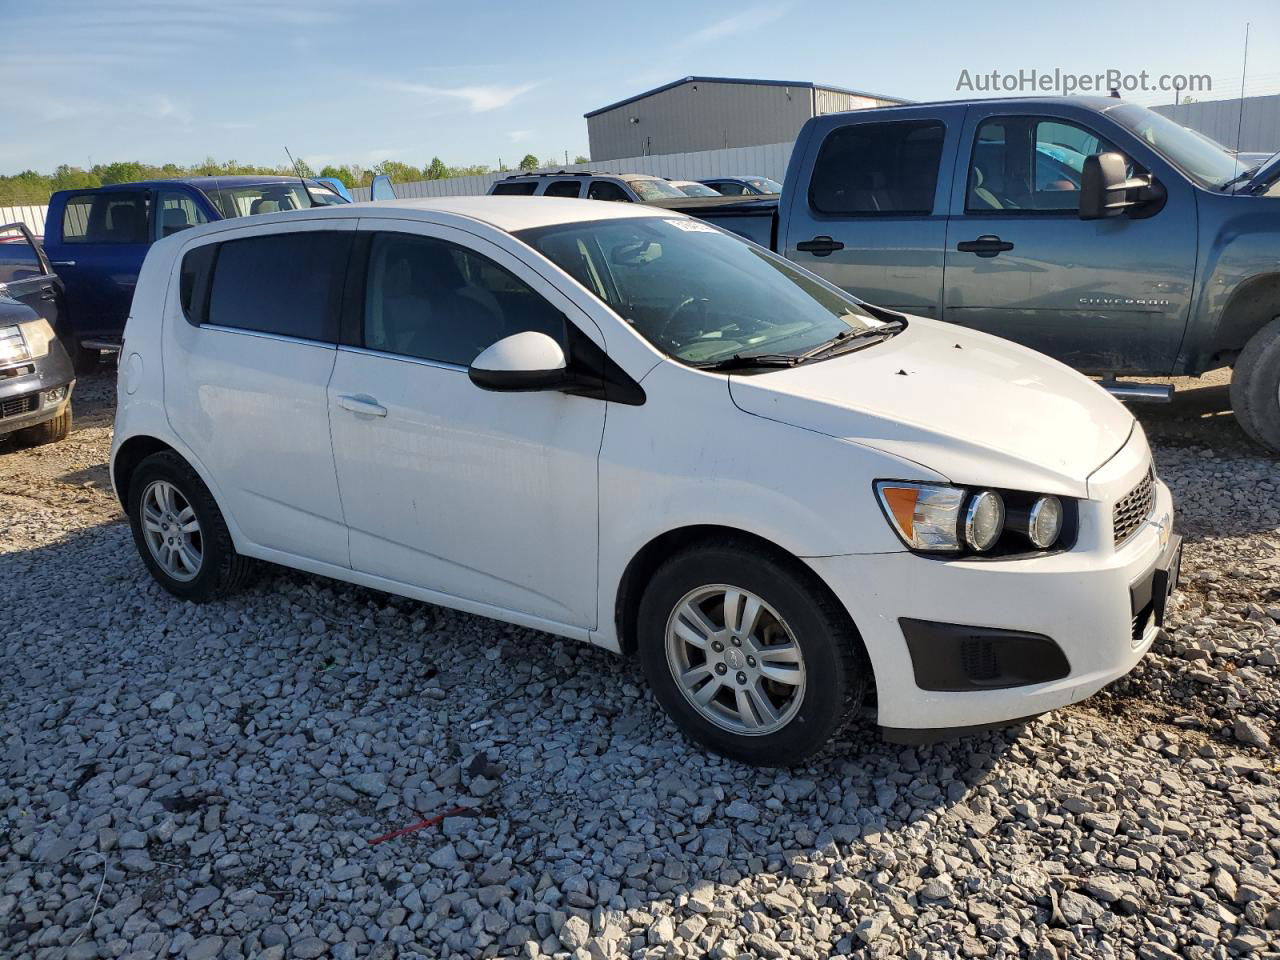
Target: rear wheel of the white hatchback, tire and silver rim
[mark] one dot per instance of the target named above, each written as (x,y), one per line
(181,533)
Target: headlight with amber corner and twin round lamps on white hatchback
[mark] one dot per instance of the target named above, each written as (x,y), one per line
(945,519)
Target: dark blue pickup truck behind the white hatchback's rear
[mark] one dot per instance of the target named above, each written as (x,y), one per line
(97,240)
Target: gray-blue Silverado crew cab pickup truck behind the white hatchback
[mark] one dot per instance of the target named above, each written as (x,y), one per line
(1092,230)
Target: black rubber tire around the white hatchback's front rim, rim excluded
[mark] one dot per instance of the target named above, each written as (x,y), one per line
(835,673)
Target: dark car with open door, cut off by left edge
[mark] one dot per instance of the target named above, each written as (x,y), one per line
(36,376)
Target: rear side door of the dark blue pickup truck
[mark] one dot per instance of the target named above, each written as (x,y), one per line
(106,236)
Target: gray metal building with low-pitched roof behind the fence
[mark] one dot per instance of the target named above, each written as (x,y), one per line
(712,113)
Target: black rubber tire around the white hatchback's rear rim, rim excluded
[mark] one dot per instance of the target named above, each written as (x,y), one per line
(222,570)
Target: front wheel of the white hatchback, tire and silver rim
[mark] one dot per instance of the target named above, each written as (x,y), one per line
(748,656)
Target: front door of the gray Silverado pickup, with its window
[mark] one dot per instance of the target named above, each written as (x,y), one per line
(1104,296)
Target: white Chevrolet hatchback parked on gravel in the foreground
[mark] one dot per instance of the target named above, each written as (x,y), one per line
(627,427)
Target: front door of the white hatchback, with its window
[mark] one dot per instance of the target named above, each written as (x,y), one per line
(473,495)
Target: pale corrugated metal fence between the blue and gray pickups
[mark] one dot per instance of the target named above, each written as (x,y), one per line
(770,161)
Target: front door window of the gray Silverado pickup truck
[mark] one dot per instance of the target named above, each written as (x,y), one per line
(1023,163)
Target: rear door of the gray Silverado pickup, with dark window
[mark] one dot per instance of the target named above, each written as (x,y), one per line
(872,217)
